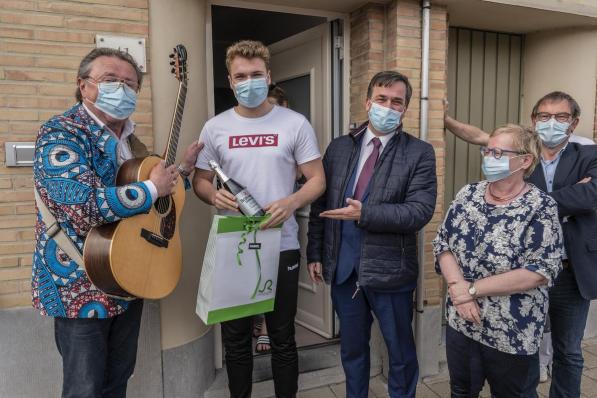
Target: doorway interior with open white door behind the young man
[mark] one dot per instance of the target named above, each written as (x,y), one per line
(302,63)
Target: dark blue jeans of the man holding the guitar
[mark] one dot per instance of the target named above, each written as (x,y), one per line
(98,355)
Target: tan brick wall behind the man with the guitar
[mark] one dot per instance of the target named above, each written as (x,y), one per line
(41,45)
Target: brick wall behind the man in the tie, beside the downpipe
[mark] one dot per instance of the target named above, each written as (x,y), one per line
(389,37)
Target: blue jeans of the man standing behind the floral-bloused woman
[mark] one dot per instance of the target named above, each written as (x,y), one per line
(568,312)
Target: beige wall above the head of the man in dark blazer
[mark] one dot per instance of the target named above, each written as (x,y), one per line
(563,60)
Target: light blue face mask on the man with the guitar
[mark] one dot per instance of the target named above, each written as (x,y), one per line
(115,99)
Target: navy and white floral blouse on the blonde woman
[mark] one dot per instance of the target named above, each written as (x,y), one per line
(491,239)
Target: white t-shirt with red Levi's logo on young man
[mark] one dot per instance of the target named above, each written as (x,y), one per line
(261,154)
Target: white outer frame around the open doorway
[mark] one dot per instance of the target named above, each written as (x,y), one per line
(345,117)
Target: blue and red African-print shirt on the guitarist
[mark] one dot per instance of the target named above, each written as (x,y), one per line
(74,171)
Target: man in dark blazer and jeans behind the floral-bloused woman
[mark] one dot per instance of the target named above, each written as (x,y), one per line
(569,174)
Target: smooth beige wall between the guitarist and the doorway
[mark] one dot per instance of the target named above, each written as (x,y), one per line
(173,22)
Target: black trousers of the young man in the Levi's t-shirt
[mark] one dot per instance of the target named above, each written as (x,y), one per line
(237,336)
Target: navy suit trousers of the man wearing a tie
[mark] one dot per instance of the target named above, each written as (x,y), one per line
(394,311)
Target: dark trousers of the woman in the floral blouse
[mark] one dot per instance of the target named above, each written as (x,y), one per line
(470,363)
